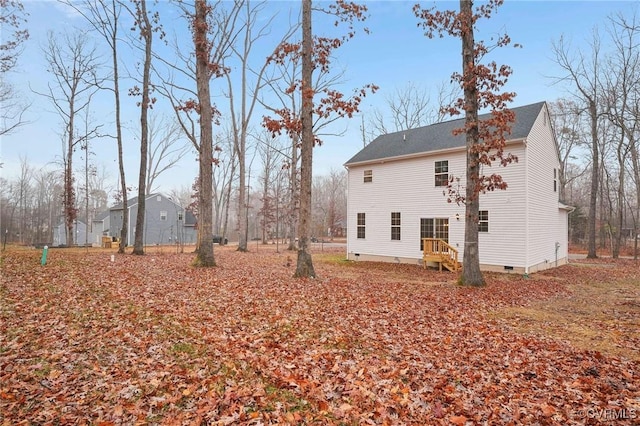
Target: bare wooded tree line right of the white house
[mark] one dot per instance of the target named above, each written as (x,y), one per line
(597,129)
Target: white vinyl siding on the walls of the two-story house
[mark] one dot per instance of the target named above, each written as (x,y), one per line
(523,223)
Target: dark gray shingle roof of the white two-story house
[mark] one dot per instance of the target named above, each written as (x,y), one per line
(438,136)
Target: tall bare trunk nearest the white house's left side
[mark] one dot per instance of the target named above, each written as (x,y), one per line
(304,267)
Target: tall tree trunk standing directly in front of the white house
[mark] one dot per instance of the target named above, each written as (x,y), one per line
(471,274)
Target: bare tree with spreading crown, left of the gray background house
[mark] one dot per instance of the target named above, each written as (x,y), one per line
(74,65)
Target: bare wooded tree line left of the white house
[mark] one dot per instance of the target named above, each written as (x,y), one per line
(164,70)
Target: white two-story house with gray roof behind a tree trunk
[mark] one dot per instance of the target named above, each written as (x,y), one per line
(397,196)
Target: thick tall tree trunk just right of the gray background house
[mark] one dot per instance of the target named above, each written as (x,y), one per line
(204,255)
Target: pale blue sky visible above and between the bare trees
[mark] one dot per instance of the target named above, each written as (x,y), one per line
(394,53)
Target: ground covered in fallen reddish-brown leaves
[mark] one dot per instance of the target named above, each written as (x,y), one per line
(152,340)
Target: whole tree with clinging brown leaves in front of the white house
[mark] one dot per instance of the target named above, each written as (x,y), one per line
(486,139)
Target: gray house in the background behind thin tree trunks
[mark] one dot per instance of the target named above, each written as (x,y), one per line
(166,222)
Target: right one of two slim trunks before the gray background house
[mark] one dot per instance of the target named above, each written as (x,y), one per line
(138,246)
